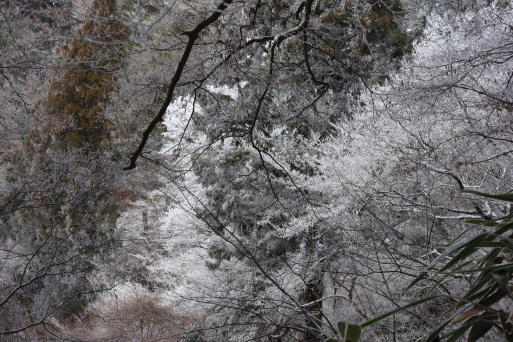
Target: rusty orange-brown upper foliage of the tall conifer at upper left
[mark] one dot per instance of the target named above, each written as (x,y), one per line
(78,98)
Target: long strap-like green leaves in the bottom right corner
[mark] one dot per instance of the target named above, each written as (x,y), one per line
(485,261)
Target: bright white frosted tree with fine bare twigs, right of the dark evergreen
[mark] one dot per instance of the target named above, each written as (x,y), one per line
(437,127)
